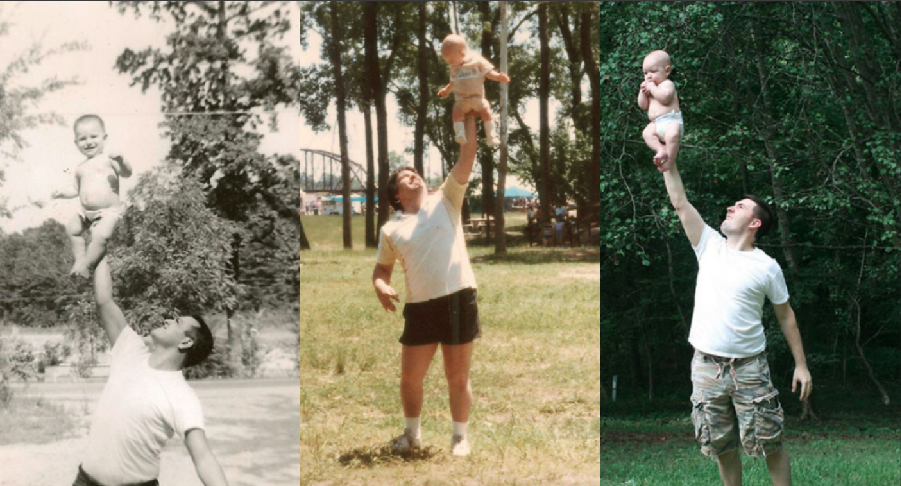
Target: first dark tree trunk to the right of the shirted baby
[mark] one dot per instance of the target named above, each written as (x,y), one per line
(544,88)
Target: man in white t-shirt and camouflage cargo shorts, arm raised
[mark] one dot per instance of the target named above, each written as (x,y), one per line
(734,399)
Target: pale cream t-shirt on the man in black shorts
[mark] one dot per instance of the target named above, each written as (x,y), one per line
(430,246)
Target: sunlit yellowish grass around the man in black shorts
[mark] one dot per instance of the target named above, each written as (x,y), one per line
(535,372)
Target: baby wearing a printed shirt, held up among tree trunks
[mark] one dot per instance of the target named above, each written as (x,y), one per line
(468,71)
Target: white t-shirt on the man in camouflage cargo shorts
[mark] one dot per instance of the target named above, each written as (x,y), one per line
(729,297)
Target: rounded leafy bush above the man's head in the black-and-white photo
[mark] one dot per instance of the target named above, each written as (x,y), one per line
(172,252)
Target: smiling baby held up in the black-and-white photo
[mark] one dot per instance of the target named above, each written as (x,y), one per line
(97,185)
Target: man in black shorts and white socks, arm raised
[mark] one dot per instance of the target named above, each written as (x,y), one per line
(440,307)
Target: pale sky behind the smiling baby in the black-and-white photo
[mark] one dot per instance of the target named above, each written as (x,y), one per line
(132,118)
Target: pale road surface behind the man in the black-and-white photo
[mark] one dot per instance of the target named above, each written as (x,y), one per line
(253,427)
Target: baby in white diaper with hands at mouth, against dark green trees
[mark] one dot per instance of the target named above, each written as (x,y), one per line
(658,96)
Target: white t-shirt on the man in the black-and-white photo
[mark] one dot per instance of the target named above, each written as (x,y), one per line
(139,409)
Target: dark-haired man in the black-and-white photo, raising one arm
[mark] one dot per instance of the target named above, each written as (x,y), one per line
(146,399)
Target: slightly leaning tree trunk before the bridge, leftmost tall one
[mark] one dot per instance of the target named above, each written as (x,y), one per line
(335,50)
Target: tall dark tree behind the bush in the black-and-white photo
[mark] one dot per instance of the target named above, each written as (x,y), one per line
(222,63)
